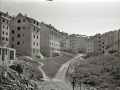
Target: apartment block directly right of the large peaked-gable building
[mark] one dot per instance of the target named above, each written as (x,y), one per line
(50,39)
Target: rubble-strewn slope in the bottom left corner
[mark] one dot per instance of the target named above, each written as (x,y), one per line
(11,80)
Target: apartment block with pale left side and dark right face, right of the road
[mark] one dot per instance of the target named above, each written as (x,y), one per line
(95,44)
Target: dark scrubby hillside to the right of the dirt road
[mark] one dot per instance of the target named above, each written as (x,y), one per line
(102,71)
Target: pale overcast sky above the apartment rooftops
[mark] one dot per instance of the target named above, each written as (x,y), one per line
(84,17)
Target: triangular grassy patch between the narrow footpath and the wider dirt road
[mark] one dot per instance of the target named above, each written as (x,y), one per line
(52,64)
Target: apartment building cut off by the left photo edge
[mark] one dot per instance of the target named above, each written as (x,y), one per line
(4,28)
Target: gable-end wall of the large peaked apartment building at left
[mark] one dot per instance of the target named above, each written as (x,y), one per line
(24,40)
